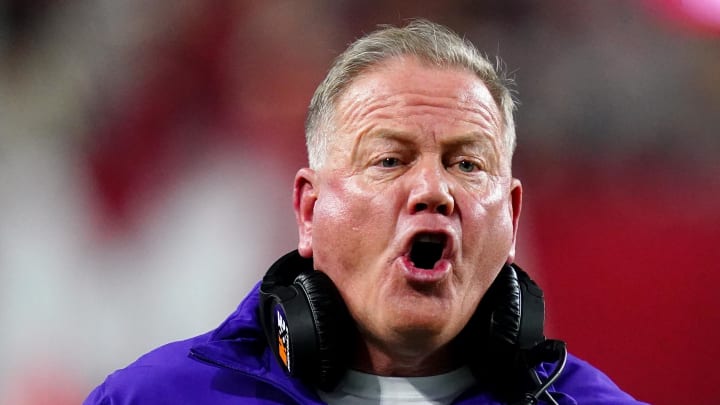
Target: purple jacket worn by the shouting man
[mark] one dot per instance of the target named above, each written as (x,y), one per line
(233,365)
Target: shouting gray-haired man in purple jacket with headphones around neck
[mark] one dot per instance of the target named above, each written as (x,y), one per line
(410,213)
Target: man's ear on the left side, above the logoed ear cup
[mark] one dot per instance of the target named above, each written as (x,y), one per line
(304,197)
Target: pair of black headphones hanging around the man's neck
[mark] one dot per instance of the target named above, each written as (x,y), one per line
(310,331)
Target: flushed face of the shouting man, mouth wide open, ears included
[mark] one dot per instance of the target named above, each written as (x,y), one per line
(414,211)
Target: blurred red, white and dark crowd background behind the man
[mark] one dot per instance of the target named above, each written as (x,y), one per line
(147,151)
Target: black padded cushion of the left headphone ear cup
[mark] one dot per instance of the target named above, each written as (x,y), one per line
(333,328)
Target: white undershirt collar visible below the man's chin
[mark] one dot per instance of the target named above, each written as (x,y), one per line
(358,388)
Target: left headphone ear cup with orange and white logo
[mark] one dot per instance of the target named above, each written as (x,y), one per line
(305,321)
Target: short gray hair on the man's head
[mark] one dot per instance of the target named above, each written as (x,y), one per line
(431,43)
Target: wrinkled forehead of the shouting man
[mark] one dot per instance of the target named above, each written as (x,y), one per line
(404,91)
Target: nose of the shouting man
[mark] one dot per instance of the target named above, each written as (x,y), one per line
(430,191)
